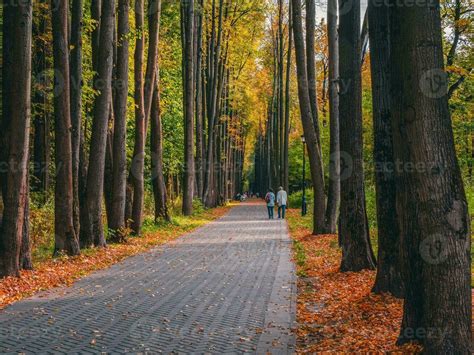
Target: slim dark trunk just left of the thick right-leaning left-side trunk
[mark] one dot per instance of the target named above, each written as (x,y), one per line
(76,104)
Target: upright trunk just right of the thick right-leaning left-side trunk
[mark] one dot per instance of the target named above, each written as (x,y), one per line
(119,180)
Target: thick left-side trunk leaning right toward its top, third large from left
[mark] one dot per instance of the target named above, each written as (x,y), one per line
(95,179)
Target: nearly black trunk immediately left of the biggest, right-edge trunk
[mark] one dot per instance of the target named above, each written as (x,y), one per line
(388,262)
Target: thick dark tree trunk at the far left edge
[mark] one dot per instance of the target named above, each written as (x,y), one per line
(15,129)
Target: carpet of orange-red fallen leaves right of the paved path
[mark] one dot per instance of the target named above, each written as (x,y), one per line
(336,312)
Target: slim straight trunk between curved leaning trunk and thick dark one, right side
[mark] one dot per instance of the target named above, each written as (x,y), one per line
(334,189)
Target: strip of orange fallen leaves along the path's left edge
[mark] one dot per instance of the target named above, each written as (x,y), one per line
(64,271)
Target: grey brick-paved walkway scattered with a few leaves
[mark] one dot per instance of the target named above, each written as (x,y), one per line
(228,287)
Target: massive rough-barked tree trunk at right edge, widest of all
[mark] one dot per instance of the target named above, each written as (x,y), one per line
(431,202)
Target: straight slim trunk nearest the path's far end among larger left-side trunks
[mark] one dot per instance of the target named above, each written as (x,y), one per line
(188,33)
